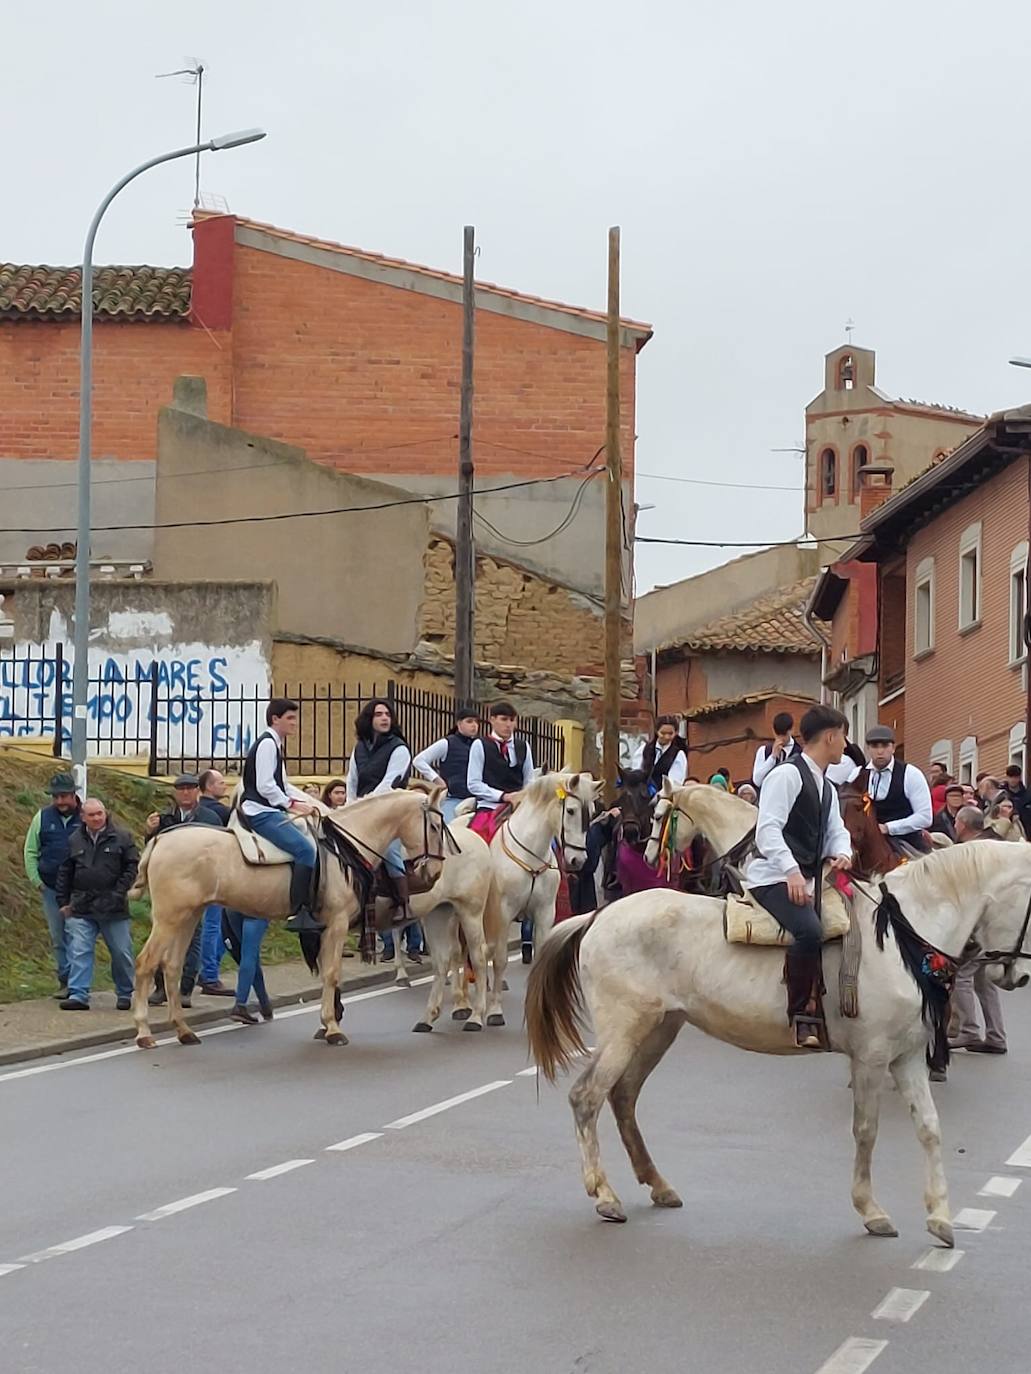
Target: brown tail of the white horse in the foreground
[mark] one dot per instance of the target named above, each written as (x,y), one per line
(555,998)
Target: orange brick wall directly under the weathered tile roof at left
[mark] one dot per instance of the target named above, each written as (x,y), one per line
(134,369)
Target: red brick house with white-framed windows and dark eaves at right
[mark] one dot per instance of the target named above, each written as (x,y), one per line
(929,611)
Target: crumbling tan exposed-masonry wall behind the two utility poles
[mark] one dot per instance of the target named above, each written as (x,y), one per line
(520,619)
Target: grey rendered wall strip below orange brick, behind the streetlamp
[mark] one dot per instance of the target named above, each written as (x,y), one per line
(42,497)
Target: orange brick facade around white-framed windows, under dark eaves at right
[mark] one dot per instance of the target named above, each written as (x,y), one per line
(966,686)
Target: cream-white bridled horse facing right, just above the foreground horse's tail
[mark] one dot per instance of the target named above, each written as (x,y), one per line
(556,809)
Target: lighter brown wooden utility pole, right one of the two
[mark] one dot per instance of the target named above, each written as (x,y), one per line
(614,528)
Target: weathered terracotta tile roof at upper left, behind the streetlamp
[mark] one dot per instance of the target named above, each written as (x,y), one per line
(144,293)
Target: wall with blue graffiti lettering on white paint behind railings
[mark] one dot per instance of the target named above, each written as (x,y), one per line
(208,641)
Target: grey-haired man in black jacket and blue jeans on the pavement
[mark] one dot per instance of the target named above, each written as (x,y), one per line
(93,892)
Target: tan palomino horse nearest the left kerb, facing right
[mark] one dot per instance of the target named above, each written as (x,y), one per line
(196,866)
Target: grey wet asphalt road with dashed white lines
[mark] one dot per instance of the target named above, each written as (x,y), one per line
(463,1240)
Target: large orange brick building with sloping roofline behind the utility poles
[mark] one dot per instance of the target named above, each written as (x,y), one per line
(353,357)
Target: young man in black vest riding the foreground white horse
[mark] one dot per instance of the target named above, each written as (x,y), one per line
(799,826)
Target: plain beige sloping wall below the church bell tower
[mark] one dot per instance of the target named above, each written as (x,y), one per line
(665,615)
